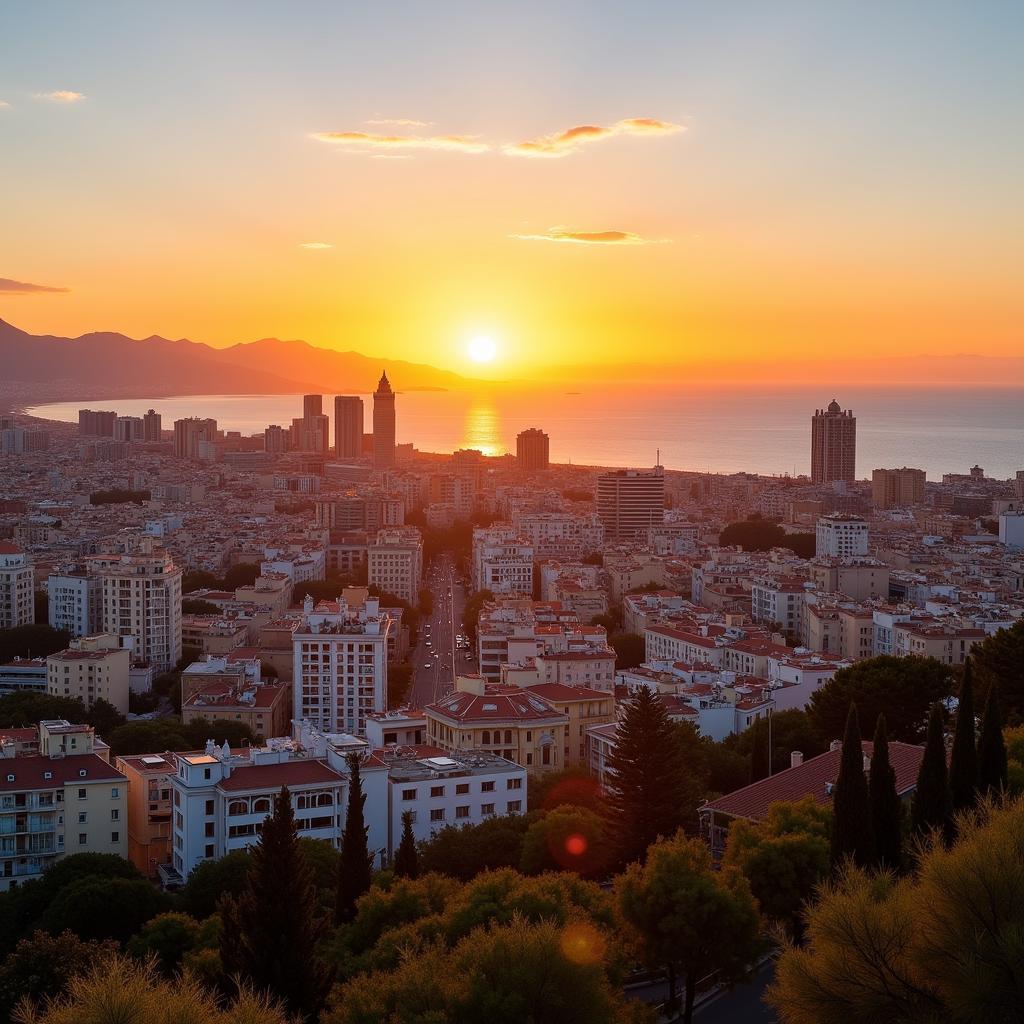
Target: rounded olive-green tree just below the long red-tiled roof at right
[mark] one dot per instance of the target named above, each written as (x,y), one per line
(784,858)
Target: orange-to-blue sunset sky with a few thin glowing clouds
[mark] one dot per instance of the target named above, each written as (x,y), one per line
(581,183)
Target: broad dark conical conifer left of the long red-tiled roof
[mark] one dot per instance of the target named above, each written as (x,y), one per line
(651,790)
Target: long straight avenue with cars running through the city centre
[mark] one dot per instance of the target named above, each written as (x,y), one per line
(435,664)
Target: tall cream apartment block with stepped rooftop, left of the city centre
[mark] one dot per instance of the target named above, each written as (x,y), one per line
(142,600)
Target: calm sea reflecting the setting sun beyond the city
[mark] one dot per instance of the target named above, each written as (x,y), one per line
(708,430)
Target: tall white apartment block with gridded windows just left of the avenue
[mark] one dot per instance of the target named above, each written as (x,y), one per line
(340,664)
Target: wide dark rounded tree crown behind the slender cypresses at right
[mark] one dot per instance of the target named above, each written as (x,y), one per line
(902,689)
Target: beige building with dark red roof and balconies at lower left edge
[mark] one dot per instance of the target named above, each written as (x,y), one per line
(66,799)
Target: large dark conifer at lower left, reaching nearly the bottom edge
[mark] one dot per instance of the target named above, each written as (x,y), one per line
(271,930)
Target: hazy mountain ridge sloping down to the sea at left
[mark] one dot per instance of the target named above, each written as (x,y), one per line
(107,364)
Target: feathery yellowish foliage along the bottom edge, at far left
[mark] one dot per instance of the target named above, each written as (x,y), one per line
(118,990)
